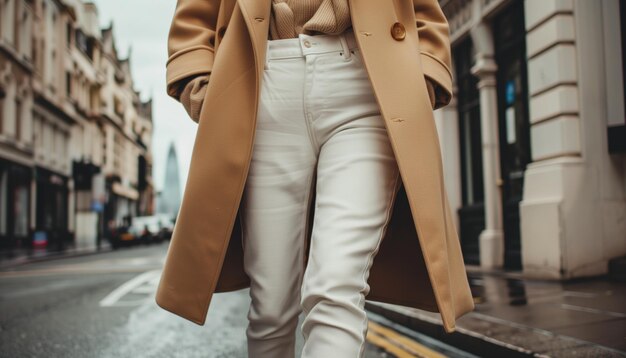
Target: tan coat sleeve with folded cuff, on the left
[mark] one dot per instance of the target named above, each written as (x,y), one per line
(190,43)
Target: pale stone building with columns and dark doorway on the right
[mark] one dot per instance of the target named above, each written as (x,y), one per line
(534,141)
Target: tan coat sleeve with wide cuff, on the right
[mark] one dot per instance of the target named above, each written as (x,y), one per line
(435,52)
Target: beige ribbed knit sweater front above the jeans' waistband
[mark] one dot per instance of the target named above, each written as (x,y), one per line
(289,18)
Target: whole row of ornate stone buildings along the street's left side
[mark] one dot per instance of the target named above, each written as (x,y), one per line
(57,126)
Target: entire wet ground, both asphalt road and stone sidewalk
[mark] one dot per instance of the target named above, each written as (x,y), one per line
(102,305)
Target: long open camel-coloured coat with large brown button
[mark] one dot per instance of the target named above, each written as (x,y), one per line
(419,263)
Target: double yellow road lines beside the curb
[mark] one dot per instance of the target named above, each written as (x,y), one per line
(389,339)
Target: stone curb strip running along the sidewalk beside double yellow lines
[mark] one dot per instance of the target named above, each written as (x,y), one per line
(487,336)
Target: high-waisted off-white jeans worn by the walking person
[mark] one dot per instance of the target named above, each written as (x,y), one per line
(318,118)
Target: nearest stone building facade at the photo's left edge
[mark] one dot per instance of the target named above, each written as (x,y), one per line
(16,124)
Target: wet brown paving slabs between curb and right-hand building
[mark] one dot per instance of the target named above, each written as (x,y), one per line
(591,310)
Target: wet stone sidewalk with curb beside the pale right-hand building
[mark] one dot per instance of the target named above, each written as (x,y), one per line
(583,317)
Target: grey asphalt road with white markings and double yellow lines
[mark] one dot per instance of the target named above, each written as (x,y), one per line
(102,305)
